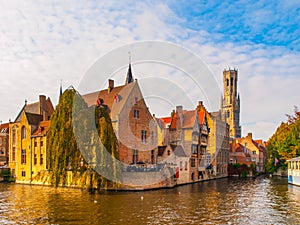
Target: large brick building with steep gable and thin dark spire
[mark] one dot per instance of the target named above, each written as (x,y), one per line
(133,124)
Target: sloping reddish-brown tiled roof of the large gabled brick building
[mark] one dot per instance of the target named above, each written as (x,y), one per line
(113,99)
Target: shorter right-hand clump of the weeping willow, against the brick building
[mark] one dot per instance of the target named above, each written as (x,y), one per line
(98,144)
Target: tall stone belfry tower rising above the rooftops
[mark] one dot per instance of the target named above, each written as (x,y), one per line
(230,103)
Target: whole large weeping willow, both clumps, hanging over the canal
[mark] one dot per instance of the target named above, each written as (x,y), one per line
(73,144)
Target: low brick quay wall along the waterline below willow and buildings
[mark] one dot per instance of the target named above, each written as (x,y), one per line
(130,181)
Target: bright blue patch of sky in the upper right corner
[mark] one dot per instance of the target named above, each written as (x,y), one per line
(261,22)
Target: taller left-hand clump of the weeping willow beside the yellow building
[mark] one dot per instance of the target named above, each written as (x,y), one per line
(62,148)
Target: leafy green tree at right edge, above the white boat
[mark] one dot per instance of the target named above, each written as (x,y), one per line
(284,143)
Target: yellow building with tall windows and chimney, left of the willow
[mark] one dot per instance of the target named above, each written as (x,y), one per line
(23,139)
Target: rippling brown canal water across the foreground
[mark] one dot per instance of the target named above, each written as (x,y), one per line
(225,201)
